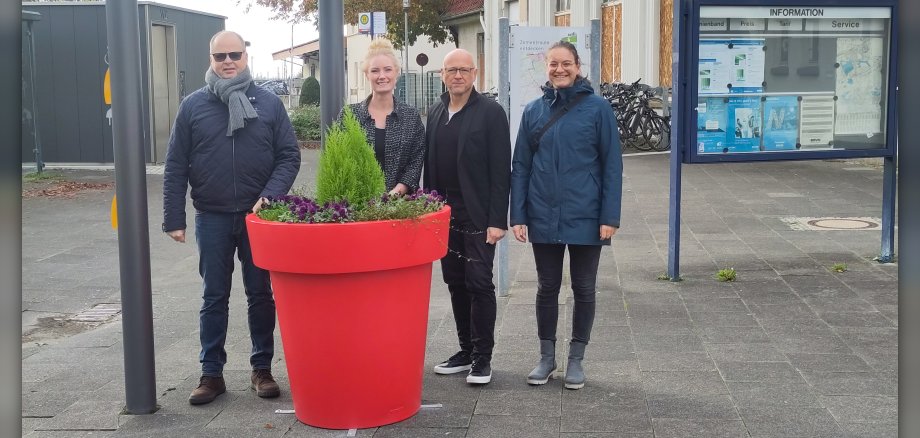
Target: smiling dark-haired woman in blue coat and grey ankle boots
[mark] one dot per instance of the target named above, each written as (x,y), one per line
(566,188)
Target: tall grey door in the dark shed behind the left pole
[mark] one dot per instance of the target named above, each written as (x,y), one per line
(164,94)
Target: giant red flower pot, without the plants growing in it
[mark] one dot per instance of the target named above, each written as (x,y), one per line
(352,304)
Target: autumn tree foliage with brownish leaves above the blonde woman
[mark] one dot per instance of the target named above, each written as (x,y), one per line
(424,16)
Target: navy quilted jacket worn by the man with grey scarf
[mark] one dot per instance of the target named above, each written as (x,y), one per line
(227,174)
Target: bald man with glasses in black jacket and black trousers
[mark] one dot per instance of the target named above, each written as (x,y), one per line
(469,161)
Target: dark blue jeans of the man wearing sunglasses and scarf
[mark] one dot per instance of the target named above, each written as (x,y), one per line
(219,236)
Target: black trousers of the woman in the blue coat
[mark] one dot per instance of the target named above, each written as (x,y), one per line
(583,261)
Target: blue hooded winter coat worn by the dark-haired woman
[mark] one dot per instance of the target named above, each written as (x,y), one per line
(574,183)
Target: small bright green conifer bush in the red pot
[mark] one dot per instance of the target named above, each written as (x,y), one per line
(348,169)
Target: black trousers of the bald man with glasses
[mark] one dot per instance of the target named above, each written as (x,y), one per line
(467,270)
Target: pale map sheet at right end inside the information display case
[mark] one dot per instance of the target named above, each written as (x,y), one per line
(859,85)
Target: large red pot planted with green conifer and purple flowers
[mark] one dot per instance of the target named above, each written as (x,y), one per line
(351,273)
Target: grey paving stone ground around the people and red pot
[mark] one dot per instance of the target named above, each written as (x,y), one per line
(789,349)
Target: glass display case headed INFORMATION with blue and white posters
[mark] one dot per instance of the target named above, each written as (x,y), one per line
(773,81)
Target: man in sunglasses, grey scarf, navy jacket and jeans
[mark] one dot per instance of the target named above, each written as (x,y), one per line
(233,143)
